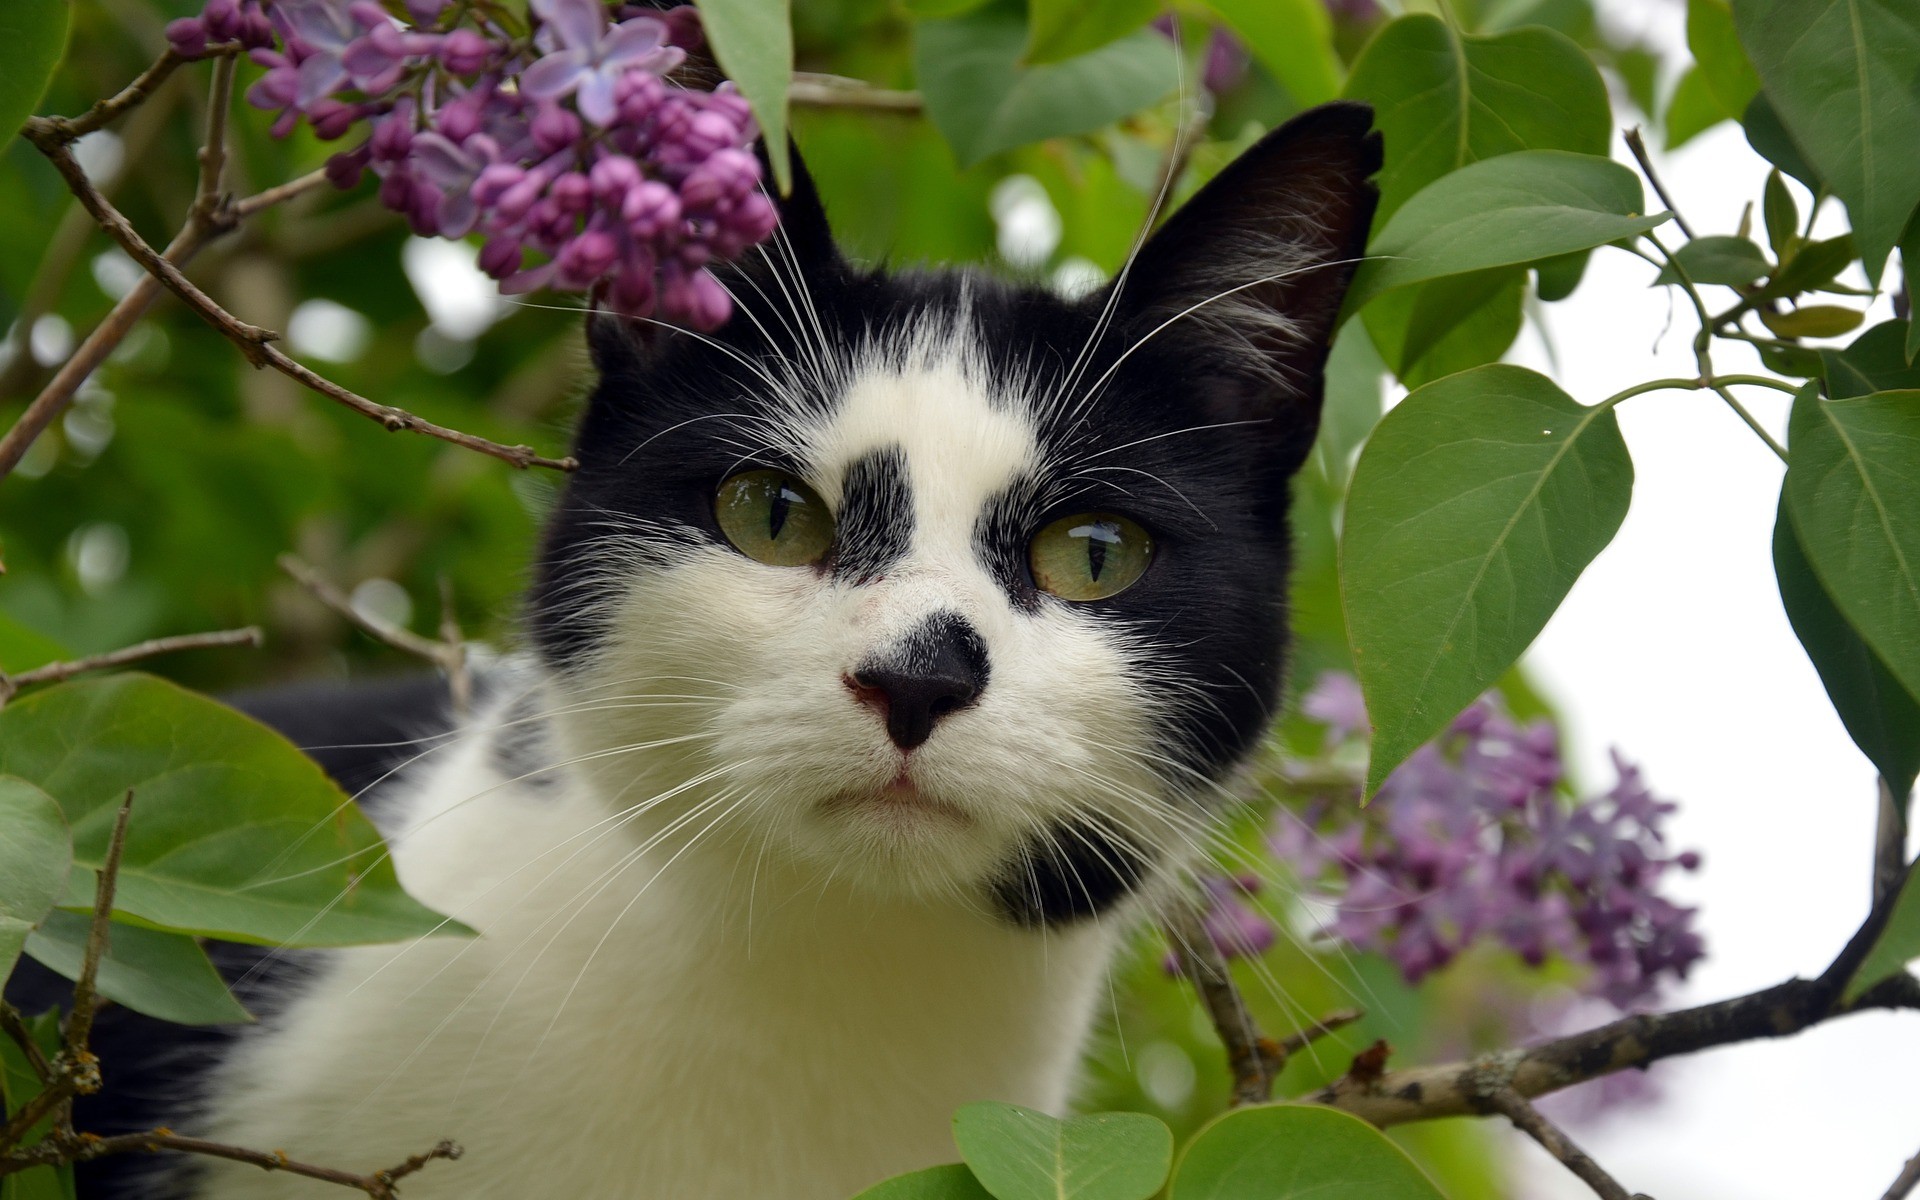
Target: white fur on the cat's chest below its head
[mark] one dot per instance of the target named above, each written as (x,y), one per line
(636,1026)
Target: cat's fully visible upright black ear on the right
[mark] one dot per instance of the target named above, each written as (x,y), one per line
(1259,262)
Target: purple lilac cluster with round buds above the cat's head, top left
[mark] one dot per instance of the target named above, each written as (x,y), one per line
(567,151)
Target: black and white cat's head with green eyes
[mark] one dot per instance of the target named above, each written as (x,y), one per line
(951,587)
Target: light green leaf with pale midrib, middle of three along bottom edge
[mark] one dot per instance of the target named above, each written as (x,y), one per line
(1024,1155)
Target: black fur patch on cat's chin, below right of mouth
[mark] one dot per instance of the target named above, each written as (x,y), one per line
(1070,873)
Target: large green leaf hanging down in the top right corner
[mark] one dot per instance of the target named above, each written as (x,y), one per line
(1840,74)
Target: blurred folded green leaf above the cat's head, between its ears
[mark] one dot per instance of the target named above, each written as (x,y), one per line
(984,101)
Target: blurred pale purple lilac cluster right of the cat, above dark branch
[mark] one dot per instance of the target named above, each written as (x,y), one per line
(1476,840)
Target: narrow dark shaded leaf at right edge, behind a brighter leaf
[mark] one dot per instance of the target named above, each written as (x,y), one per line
(1879,713)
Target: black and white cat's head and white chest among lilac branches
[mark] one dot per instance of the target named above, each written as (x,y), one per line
(890,648)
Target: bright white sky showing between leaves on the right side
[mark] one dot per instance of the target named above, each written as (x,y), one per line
(1675,650)
